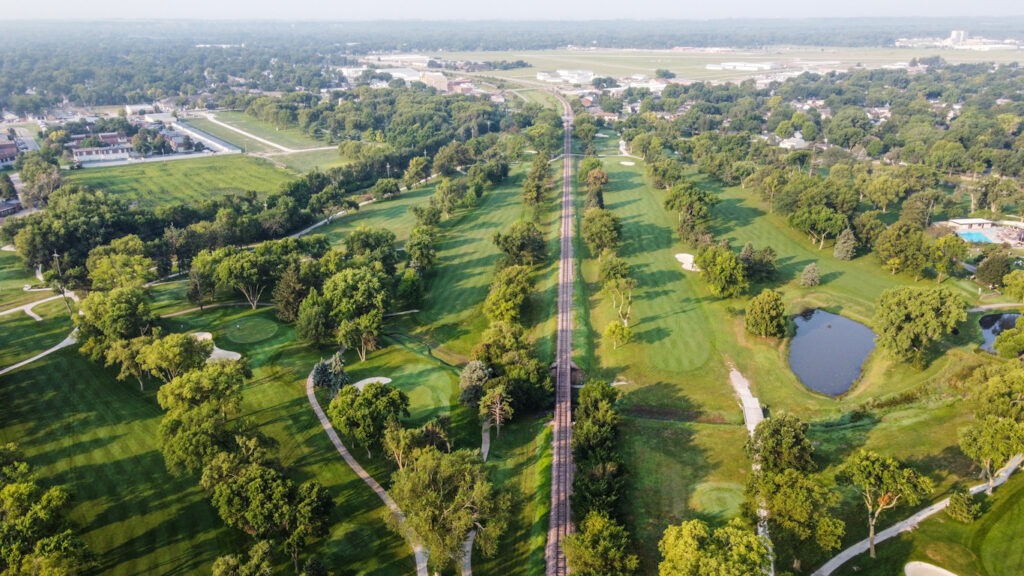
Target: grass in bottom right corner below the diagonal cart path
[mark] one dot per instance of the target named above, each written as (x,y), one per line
(990,547)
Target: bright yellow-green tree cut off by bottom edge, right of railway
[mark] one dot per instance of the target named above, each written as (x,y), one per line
(694,550)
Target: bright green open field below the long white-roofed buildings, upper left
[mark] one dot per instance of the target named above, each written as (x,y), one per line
(156,184)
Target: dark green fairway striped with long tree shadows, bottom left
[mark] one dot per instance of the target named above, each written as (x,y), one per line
(80,428)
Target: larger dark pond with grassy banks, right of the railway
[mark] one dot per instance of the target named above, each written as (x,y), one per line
(828,351)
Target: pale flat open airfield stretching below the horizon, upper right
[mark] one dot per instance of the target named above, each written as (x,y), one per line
(692,65)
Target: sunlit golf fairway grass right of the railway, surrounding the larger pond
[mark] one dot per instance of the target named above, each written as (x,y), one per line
(676,372)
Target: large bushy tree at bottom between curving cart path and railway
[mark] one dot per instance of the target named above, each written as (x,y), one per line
(447,496)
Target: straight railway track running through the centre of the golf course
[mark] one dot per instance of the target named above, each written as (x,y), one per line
(562,466)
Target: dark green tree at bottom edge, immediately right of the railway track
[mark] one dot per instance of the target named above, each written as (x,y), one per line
(601,548)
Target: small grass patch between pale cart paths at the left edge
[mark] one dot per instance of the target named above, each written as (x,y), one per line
(25,338)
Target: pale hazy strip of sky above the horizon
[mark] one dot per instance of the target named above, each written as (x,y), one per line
(498,10)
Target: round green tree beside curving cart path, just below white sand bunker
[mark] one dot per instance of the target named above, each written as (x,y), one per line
(365,415)
